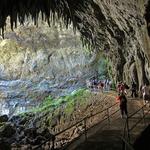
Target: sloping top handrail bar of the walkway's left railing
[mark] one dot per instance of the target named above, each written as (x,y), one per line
(52,139)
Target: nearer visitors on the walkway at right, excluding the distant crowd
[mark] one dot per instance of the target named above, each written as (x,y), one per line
(123,88)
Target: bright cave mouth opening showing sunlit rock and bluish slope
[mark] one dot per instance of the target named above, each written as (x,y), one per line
(67,65)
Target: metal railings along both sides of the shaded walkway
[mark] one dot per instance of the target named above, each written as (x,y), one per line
(52,143)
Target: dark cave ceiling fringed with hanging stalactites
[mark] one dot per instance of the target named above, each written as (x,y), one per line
(85,16)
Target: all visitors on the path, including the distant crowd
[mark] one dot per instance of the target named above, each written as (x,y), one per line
(123,90)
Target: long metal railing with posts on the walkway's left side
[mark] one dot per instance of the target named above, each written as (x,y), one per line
(52,143)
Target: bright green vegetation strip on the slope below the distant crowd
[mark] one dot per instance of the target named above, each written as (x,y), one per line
(50,104)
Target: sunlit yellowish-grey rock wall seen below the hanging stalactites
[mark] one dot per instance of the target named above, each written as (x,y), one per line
(43,53)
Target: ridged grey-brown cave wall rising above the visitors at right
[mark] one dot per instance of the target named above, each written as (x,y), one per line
(120,31)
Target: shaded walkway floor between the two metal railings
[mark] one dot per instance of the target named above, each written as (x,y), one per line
(108,138)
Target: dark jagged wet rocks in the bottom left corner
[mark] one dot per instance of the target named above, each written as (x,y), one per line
(18,132)
